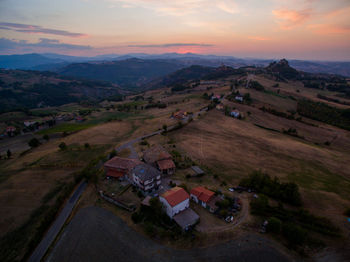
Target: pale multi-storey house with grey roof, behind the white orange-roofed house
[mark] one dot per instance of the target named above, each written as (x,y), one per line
(146,178)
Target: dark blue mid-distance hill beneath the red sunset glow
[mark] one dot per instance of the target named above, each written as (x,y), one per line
(128,73)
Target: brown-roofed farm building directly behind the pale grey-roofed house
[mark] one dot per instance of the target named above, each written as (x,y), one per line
(160,158)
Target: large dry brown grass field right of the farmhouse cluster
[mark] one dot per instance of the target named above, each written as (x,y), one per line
(234,148)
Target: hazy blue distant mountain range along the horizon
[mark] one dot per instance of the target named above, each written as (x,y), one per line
(57,62)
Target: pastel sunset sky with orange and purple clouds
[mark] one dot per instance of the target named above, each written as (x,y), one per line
(294,29)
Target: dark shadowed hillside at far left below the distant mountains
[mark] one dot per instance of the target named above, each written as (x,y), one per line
(21,89)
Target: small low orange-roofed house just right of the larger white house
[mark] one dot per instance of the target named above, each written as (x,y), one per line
(205,198)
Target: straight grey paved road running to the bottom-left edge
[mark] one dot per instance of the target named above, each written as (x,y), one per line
(45,243)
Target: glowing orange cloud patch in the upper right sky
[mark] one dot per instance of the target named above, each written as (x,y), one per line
(291,18)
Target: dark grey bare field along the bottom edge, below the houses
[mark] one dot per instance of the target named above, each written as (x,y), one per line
(96,234)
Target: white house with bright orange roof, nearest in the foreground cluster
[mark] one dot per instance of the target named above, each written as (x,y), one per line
(175,200)
